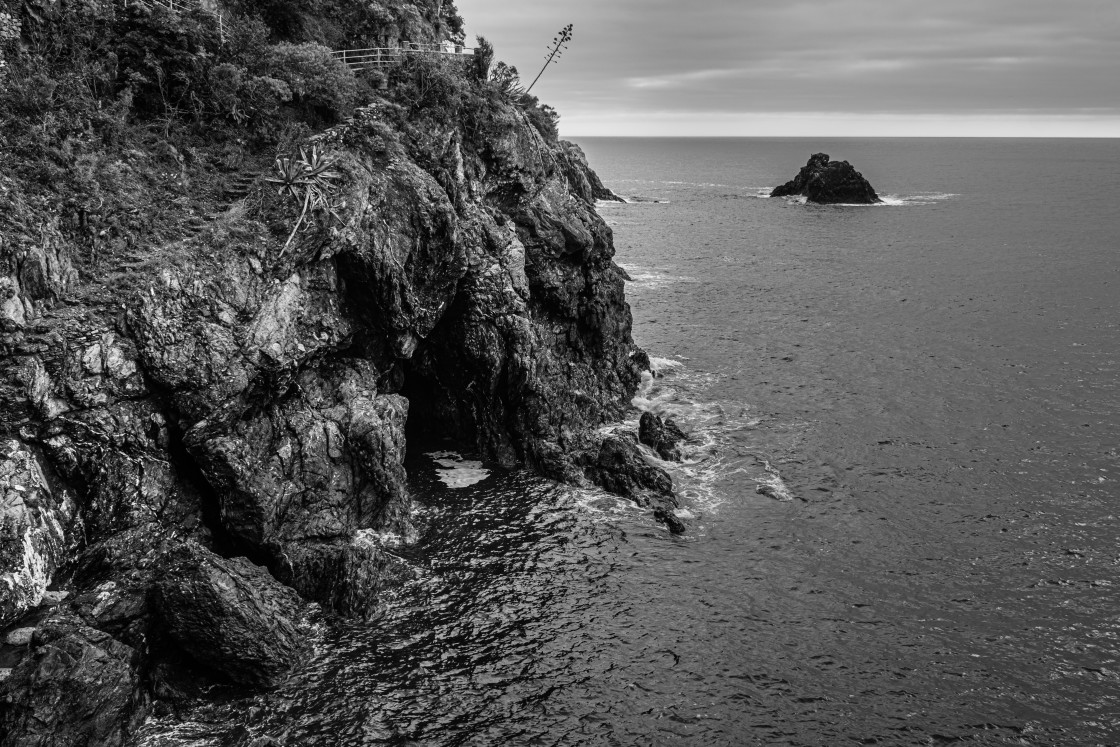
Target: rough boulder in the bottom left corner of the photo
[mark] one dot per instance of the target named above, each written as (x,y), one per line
(78,688)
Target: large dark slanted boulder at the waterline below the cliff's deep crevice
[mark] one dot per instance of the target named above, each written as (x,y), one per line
(232,617)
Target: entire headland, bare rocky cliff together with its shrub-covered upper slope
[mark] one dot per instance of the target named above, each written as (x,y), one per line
(238,283)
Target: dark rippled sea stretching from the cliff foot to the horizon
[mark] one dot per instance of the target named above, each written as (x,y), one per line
(902,482)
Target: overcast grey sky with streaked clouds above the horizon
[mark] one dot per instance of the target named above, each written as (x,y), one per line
(823,68)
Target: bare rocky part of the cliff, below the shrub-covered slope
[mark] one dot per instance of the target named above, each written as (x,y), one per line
(203,447)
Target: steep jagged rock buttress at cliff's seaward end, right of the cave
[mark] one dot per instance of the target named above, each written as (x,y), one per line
(536,348)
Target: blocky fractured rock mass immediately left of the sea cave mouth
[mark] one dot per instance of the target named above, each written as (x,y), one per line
(320,464)
